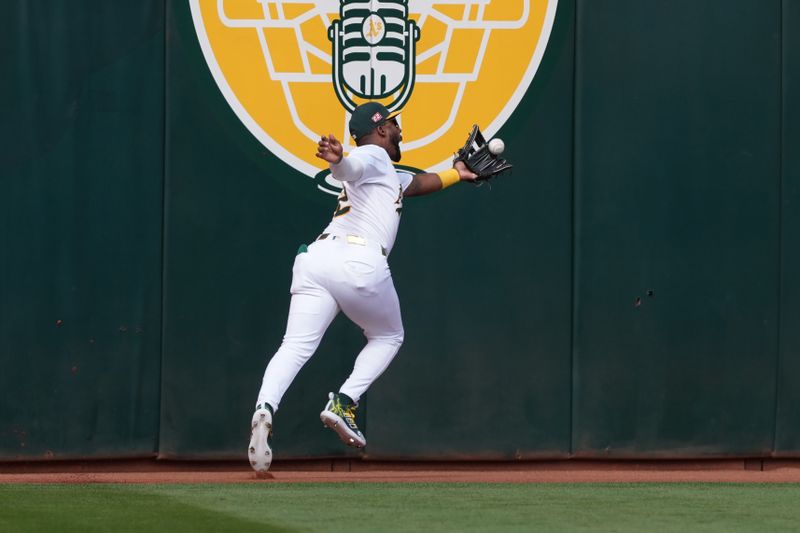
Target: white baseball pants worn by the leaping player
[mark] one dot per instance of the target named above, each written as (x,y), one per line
(335,274)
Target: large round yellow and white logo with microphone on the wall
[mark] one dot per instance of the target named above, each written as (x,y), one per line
(294,69)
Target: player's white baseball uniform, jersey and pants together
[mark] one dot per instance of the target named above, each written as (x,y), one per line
(346,269)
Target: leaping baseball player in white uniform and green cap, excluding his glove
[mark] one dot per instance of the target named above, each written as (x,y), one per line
(346,269)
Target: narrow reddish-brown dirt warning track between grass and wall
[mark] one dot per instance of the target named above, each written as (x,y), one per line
(343,470)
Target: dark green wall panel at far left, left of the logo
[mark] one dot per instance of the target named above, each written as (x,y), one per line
(80,228)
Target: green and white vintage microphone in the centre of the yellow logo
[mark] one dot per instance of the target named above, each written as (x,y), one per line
(373,52)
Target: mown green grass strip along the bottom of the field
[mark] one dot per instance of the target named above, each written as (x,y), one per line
(400,507)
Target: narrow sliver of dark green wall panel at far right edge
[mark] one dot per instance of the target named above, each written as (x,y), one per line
(787,441)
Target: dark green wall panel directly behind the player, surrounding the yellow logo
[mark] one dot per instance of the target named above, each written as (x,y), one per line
(227,278)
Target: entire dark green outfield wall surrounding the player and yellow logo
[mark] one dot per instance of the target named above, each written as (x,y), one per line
(629,291)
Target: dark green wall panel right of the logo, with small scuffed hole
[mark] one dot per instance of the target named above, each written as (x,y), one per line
(677,227)
